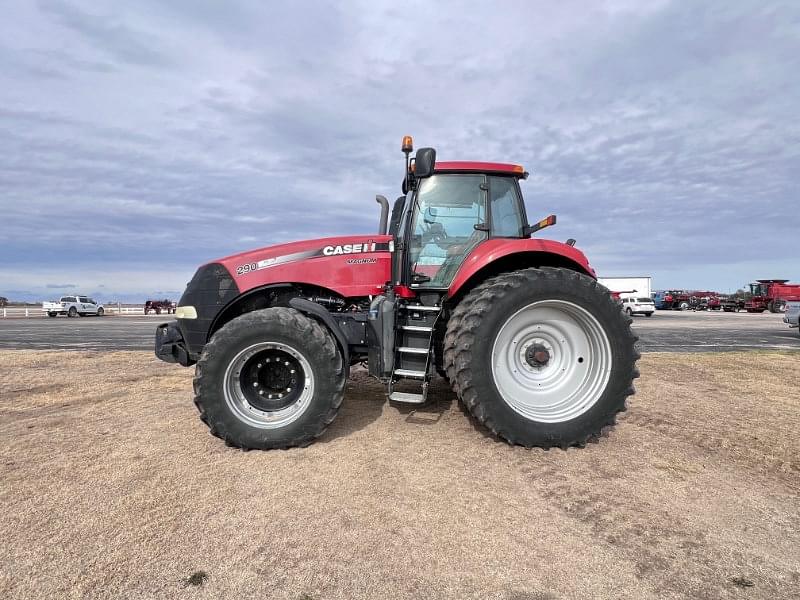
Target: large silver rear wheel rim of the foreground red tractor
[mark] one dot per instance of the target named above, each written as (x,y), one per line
(551,361)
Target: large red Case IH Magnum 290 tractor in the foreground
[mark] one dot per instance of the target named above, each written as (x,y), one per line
(453,283)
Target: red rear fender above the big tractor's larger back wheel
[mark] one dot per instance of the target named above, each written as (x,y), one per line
(496,256)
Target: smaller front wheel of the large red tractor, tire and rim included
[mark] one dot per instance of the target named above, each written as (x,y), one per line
(271,378)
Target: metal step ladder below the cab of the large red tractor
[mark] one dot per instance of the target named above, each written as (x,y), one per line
(413,353)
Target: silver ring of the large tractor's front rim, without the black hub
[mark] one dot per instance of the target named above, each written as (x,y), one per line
(245,410)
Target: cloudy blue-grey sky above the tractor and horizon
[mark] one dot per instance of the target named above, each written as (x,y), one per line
(141,139)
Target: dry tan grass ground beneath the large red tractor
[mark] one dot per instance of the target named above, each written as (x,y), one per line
(111,487)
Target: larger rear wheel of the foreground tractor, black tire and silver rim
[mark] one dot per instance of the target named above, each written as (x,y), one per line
(542,357)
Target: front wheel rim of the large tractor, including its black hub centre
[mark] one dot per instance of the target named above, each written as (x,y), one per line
(268,385)
